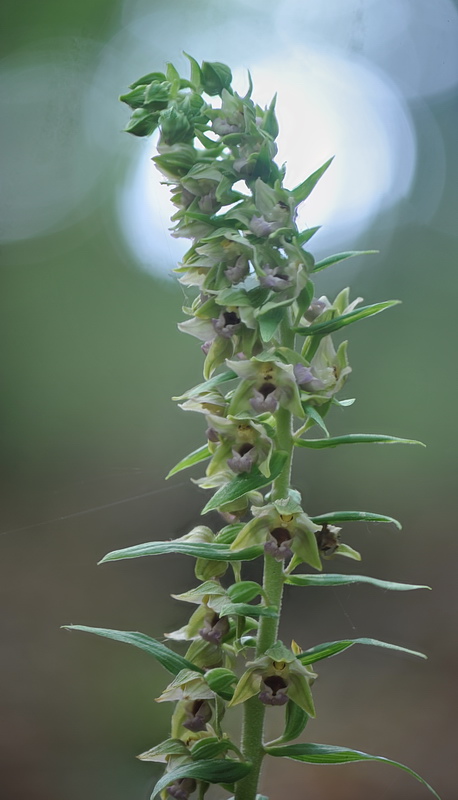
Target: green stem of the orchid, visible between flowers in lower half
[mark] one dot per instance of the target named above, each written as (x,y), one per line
(254,711)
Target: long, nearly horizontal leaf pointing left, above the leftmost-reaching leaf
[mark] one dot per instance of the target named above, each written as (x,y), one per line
(214,552)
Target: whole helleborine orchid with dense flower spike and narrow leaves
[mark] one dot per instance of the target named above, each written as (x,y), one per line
(271,373)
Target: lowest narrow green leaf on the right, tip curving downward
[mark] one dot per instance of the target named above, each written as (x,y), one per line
(331,754)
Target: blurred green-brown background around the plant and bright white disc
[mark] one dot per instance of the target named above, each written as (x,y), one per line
(91,357)
